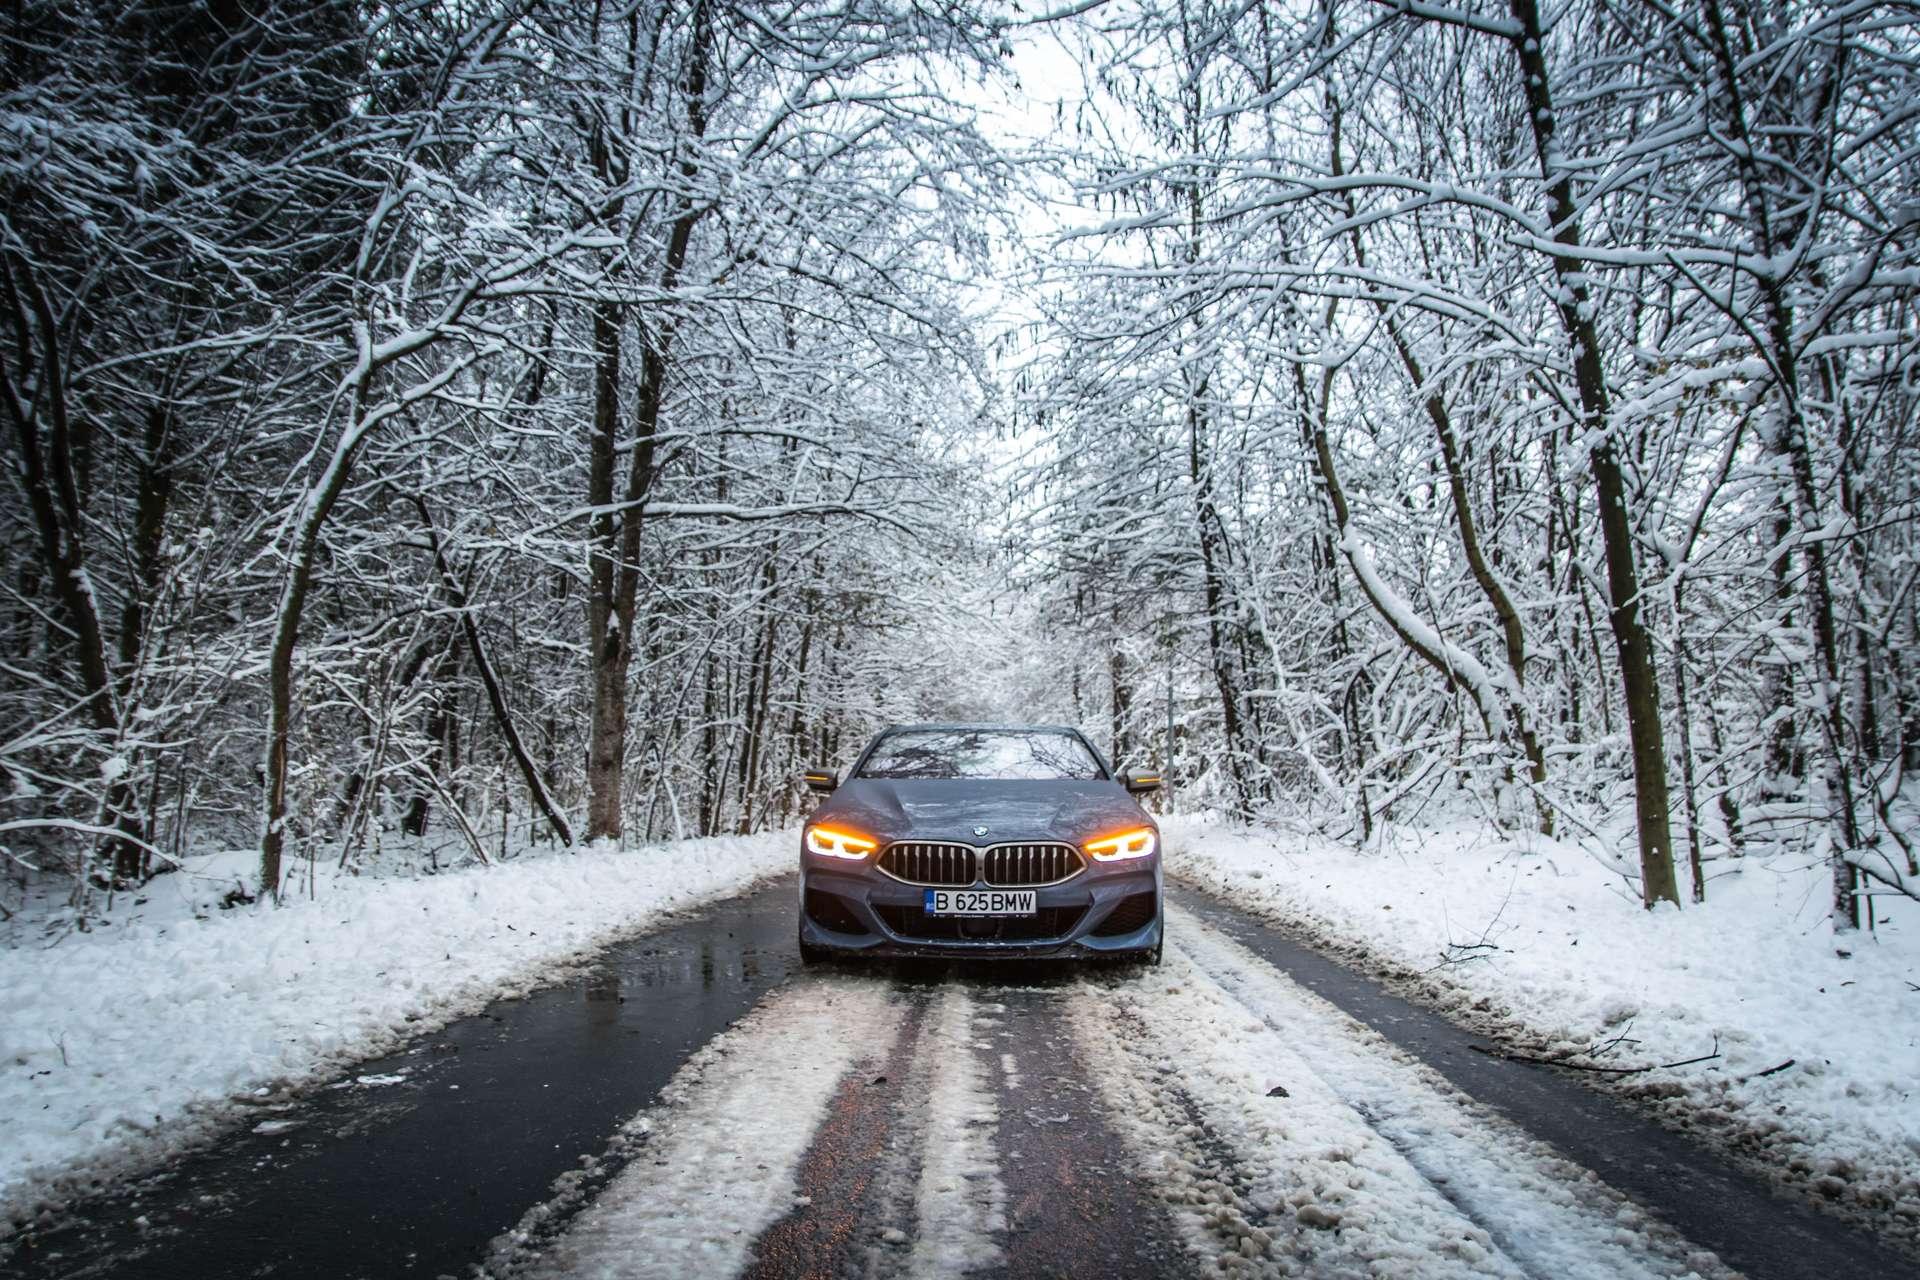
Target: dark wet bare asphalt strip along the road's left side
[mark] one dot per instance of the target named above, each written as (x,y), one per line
(416,1175)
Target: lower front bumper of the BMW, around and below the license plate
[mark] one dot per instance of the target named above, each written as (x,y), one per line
(861,911)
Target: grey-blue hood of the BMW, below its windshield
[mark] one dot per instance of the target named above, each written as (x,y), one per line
(1011,811)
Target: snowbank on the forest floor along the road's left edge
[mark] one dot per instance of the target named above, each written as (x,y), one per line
(151,1033)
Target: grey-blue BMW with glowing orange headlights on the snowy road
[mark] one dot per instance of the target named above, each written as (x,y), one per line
(980,841)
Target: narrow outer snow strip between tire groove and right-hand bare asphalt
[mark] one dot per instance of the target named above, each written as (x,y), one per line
(1548,1216)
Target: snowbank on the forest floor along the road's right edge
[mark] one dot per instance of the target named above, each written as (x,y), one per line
(1548,949)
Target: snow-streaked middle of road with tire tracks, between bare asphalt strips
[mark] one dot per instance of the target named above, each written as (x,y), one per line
(1209,1116)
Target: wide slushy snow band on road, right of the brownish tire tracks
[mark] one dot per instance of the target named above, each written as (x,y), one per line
(1297,1143)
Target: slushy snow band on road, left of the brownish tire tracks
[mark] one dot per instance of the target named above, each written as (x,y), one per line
(719,1154)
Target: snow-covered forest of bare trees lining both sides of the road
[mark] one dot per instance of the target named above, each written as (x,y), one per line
(569,421)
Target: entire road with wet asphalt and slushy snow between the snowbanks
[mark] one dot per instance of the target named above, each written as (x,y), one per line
(702,1106)
